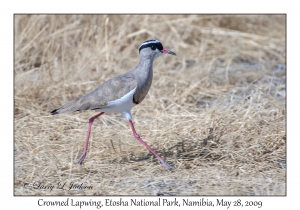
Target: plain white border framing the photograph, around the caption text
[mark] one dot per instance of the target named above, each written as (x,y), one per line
(154,6)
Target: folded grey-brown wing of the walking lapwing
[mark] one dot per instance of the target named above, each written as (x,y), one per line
(111,90)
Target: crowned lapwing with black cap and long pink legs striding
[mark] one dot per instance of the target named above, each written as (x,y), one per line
(121,93)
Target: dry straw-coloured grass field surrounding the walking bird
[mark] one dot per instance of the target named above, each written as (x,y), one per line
(216,111)
